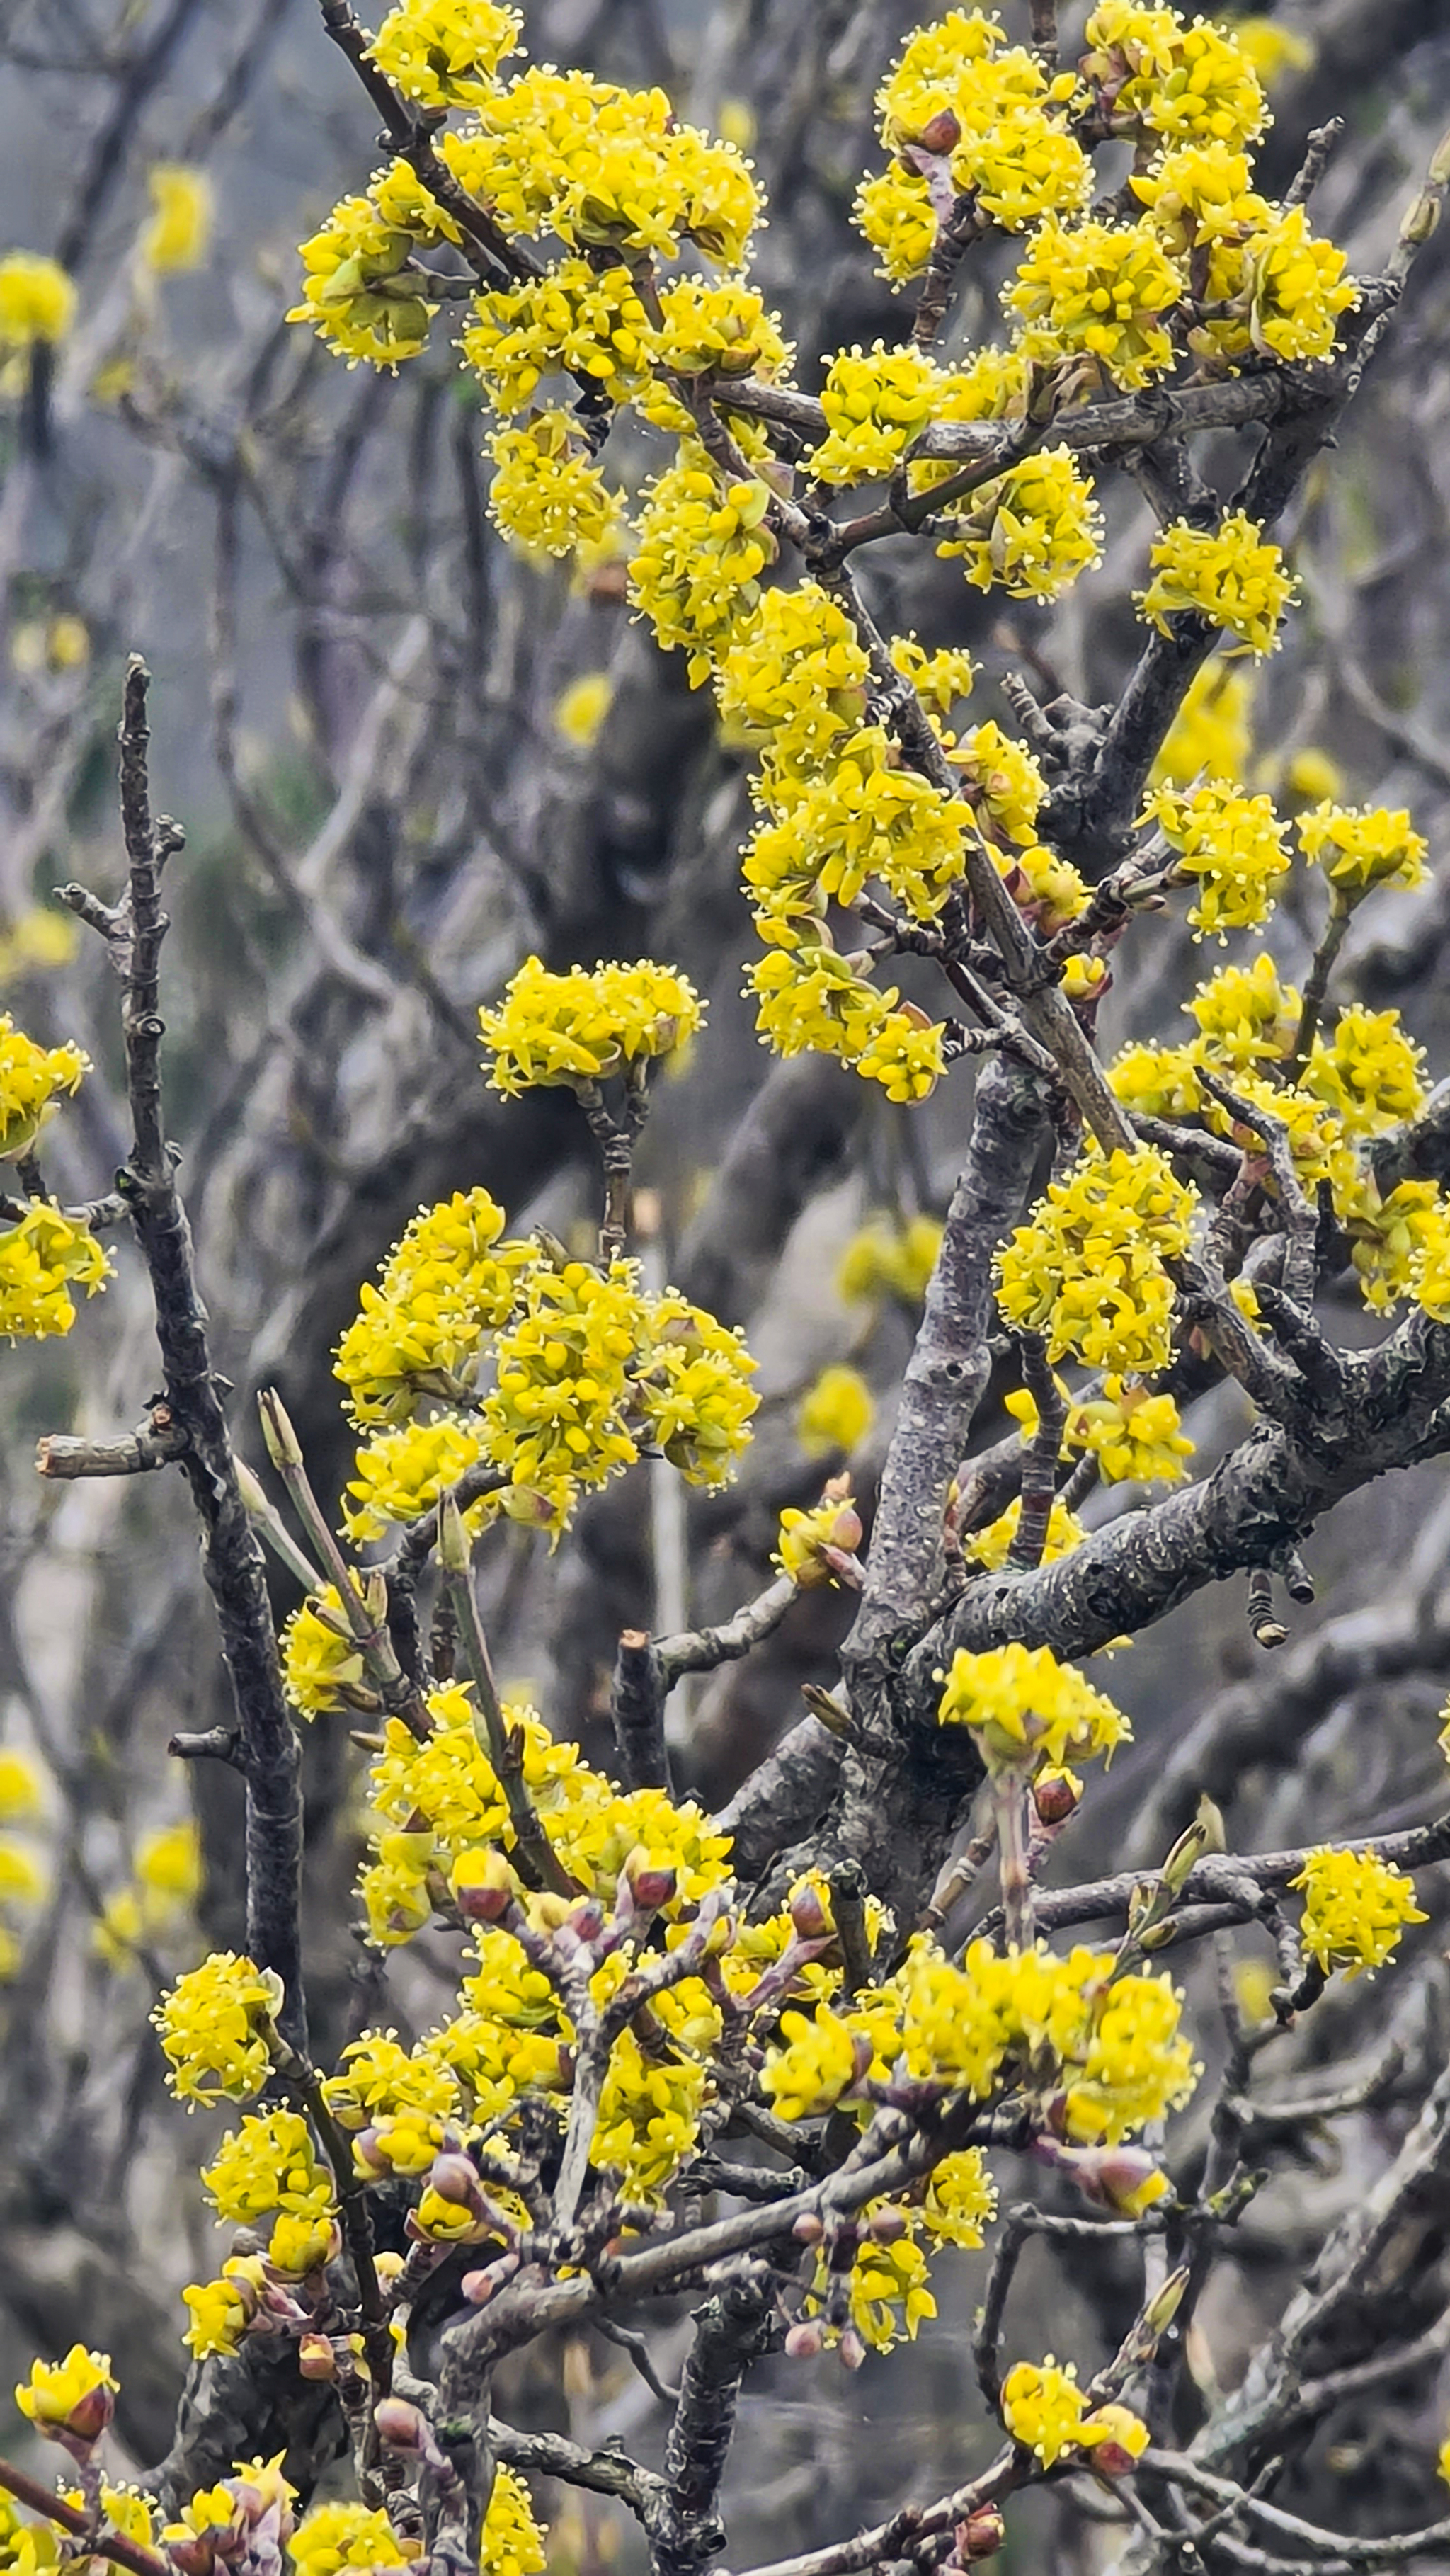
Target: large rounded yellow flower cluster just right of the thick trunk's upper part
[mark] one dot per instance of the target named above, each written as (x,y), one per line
(1088,1271)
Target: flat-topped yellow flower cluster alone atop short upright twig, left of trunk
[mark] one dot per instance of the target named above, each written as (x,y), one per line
(586,1027)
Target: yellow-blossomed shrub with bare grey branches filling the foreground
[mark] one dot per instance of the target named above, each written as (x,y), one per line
(635,2008)
